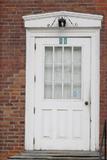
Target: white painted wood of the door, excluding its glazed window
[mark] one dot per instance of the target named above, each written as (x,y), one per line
(62,123)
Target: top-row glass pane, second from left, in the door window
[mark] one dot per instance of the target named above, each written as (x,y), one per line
(58,55)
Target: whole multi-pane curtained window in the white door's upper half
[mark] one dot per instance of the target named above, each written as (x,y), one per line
(62,72)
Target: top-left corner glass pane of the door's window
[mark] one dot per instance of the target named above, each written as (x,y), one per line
(48,55)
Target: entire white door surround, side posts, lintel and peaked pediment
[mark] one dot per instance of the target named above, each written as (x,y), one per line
(86,29)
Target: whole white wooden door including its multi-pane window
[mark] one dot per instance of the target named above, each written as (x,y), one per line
(62,69)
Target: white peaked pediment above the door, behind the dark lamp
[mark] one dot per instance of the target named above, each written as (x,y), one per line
(73,20)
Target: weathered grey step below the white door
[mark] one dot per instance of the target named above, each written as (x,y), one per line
(56,155)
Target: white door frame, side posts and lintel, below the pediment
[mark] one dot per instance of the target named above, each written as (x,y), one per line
(94,34)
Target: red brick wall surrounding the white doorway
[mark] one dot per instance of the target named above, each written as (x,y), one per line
(12,63)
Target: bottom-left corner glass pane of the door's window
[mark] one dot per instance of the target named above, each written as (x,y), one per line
(48,91)
